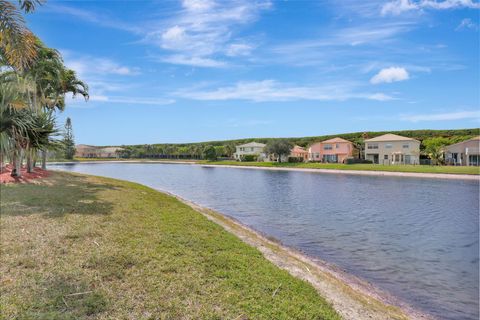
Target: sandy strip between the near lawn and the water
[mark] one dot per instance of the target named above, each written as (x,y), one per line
(352,297)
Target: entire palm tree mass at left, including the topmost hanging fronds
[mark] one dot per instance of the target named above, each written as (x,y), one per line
(34,83)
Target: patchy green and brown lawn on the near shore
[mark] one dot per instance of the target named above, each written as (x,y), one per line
(77,247)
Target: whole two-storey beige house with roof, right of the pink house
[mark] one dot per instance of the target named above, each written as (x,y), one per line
(392,149)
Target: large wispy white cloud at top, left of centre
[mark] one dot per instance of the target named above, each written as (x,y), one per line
(204,30)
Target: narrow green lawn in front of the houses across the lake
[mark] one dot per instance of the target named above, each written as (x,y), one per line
(367,167)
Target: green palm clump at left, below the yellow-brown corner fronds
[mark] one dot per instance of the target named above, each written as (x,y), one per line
(34,94)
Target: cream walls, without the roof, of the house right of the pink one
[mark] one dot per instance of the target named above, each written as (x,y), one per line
(386,150)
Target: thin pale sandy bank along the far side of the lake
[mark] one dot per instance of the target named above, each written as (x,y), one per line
(450,176)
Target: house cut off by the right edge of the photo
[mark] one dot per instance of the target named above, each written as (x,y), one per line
(465,153)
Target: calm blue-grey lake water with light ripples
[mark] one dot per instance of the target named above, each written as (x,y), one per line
(416,238)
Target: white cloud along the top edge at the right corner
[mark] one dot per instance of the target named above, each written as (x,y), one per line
(397,7)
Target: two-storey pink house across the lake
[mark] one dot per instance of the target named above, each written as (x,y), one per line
(333,150)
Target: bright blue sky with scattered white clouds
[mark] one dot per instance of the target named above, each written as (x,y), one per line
(200,70)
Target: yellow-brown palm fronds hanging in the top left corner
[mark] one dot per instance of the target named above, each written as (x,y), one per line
(18,45)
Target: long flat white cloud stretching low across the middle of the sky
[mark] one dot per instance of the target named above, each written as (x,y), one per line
(271,90)
